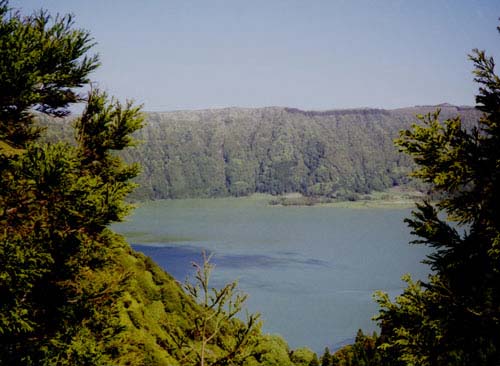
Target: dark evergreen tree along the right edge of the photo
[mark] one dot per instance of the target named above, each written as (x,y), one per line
(454,317)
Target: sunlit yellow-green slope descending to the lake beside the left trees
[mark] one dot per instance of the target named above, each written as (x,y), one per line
(154,311)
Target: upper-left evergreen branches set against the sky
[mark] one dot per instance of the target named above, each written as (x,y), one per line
(41,60)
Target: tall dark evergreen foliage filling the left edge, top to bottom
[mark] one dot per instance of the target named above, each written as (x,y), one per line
(59,280)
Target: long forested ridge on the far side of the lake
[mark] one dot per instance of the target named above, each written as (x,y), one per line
(239,151)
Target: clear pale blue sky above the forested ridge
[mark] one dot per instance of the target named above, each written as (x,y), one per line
(313,55)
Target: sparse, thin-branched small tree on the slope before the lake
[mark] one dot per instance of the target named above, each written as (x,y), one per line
(218,309)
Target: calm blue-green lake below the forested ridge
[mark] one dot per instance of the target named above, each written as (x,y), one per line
(310,271)
